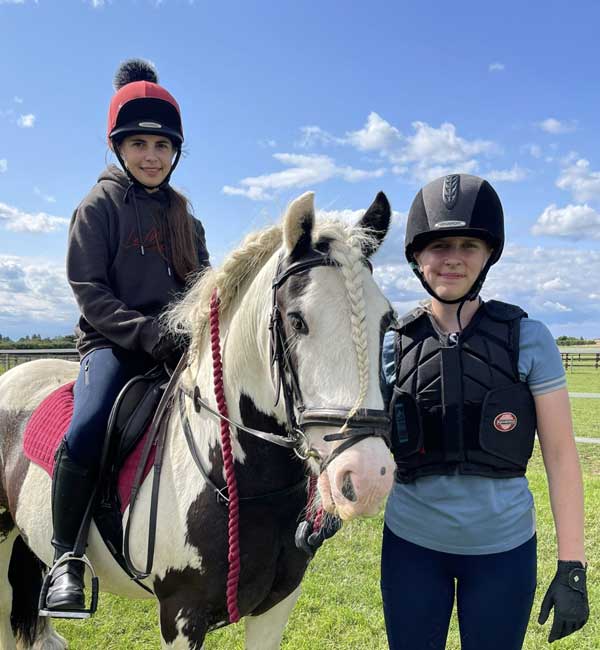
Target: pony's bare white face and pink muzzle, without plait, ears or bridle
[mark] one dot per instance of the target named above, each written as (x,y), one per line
(328,374)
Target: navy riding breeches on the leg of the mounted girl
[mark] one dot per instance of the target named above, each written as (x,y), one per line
(102,375)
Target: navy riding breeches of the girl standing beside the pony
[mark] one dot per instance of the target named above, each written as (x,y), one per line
(494,595)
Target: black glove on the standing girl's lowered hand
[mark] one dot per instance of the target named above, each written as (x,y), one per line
(567,593)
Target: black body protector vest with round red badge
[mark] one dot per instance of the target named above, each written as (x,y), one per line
(458,404)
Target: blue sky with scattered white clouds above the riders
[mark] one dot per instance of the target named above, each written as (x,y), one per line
(344,98)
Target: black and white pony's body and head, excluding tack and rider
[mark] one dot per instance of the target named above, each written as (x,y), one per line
(333,318)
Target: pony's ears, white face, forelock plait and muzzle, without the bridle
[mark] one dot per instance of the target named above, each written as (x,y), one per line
(337,355)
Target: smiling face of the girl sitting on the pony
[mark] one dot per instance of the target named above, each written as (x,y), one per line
(148,157)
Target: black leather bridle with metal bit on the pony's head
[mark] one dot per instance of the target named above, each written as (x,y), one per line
(364,423)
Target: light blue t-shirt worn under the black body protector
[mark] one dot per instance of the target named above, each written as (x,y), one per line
(474,515)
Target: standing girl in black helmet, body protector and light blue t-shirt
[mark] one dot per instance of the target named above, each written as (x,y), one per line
(471,382)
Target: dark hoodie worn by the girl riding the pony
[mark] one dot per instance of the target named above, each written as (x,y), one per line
(119,264)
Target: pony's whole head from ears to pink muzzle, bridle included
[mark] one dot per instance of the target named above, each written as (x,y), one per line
(333,318)
